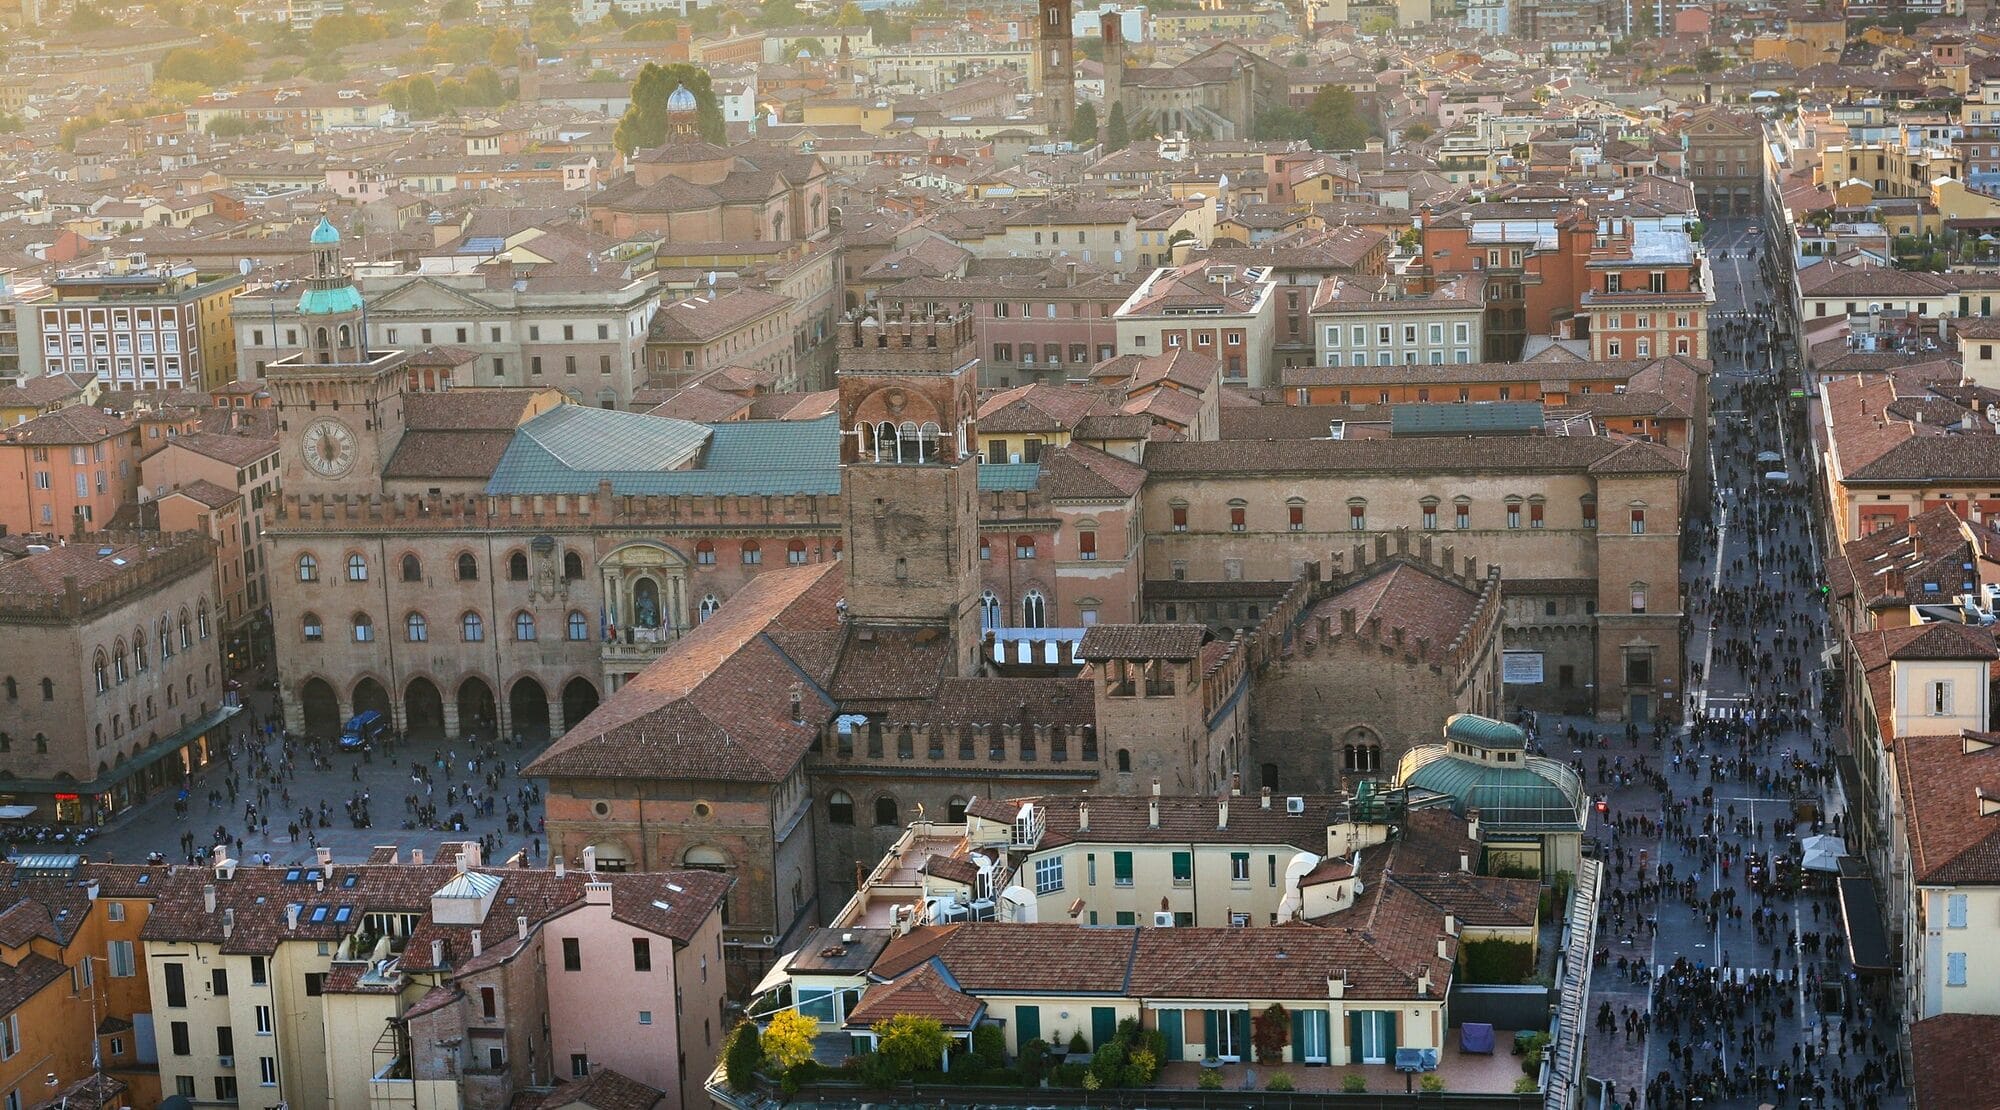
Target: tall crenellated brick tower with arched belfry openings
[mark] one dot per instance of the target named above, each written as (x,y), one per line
(911,475)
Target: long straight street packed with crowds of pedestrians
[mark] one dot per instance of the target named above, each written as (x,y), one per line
(1721,963)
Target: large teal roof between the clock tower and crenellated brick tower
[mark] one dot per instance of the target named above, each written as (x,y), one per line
(743,457)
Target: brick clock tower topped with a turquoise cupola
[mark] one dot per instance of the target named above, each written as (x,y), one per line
(339,401)
